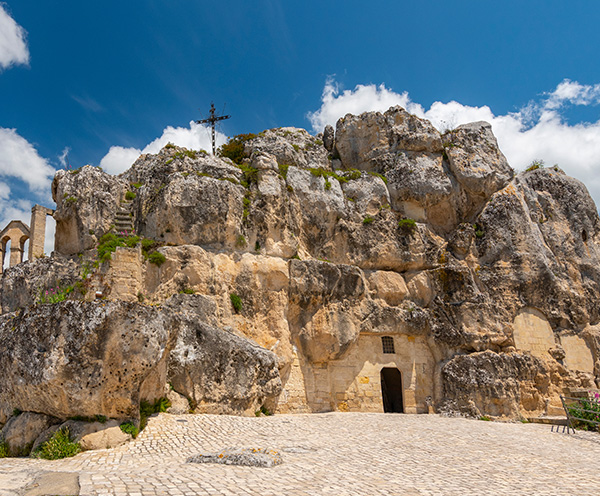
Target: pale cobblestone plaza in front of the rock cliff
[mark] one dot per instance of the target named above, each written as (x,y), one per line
(327,454)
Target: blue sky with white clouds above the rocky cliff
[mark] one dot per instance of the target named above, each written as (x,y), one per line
(104,81)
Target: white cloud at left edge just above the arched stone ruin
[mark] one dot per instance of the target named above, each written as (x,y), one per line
(21,160)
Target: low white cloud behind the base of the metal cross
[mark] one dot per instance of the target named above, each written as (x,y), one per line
(196,137)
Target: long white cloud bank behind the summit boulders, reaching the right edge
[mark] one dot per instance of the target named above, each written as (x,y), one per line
(536,132)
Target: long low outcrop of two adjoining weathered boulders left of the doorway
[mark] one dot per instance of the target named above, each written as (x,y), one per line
(102,358)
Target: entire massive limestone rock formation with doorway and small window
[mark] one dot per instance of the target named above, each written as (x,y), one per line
(318,265)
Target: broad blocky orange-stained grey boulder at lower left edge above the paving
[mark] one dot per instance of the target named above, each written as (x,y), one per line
(77,358)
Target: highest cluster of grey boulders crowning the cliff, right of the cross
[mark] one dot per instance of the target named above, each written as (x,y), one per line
(431,177)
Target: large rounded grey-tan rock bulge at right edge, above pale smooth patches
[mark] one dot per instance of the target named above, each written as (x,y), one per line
(539,243)
